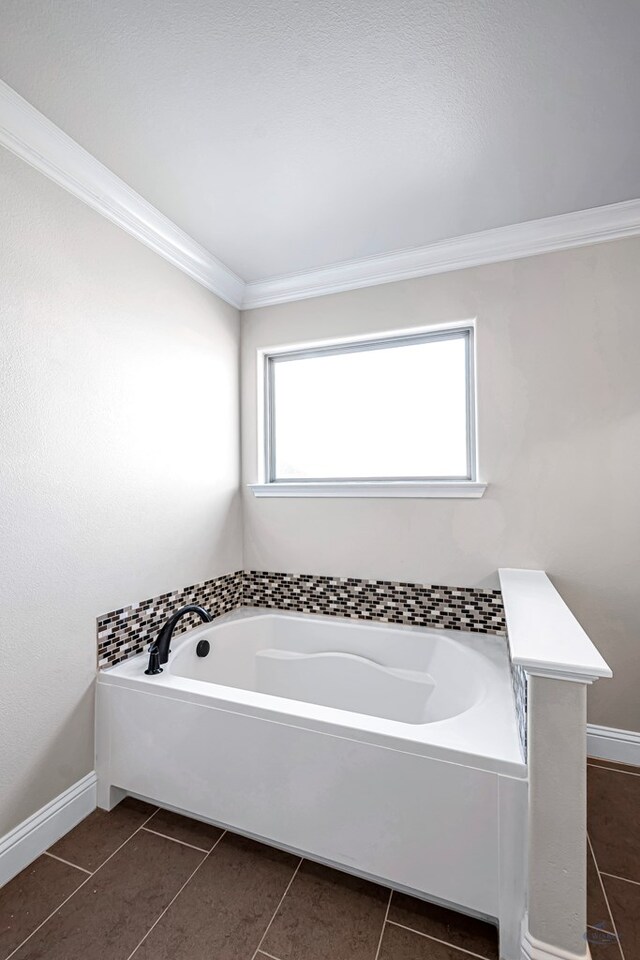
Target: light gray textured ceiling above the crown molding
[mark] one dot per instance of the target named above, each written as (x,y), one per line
(286,135)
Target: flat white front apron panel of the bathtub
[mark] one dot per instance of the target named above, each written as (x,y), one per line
(409,820)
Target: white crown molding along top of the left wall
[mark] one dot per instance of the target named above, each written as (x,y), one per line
(27,133)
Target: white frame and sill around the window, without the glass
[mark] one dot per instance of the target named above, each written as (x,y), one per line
(442,487)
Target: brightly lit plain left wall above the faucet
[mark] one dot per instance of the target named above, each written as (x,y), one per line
(119,464)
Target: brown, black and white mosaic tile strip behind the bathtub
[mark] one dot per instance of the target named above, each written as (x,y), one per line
(128,631)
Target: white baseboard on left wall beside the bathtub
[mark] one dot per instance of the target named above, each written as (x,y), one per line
(22,845)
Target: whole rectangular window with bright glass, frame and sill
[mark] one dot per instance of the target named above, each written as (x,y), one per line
(387,416)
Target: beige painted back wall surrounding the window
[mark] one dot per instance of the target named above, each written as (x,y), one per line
(558,351)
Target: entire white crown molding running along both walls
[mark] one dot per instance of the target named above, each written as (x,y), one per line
(30,135)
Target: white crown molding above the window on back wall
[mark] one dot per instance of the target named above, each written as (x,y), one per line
(514,242)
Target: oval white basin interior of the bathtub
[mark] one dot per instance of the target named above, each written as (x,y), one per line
(392,673)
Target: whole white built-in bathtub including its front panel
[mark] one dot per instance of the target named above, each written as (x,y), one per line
(391,752)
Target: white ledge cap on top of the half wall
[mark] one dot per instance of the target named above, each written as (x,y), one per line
(544,636)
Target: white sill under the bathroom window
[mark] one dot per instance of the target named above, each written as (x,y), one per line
(379,489)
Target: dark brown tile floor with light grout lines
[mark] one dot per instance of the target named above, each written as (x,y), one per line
(143,884)
